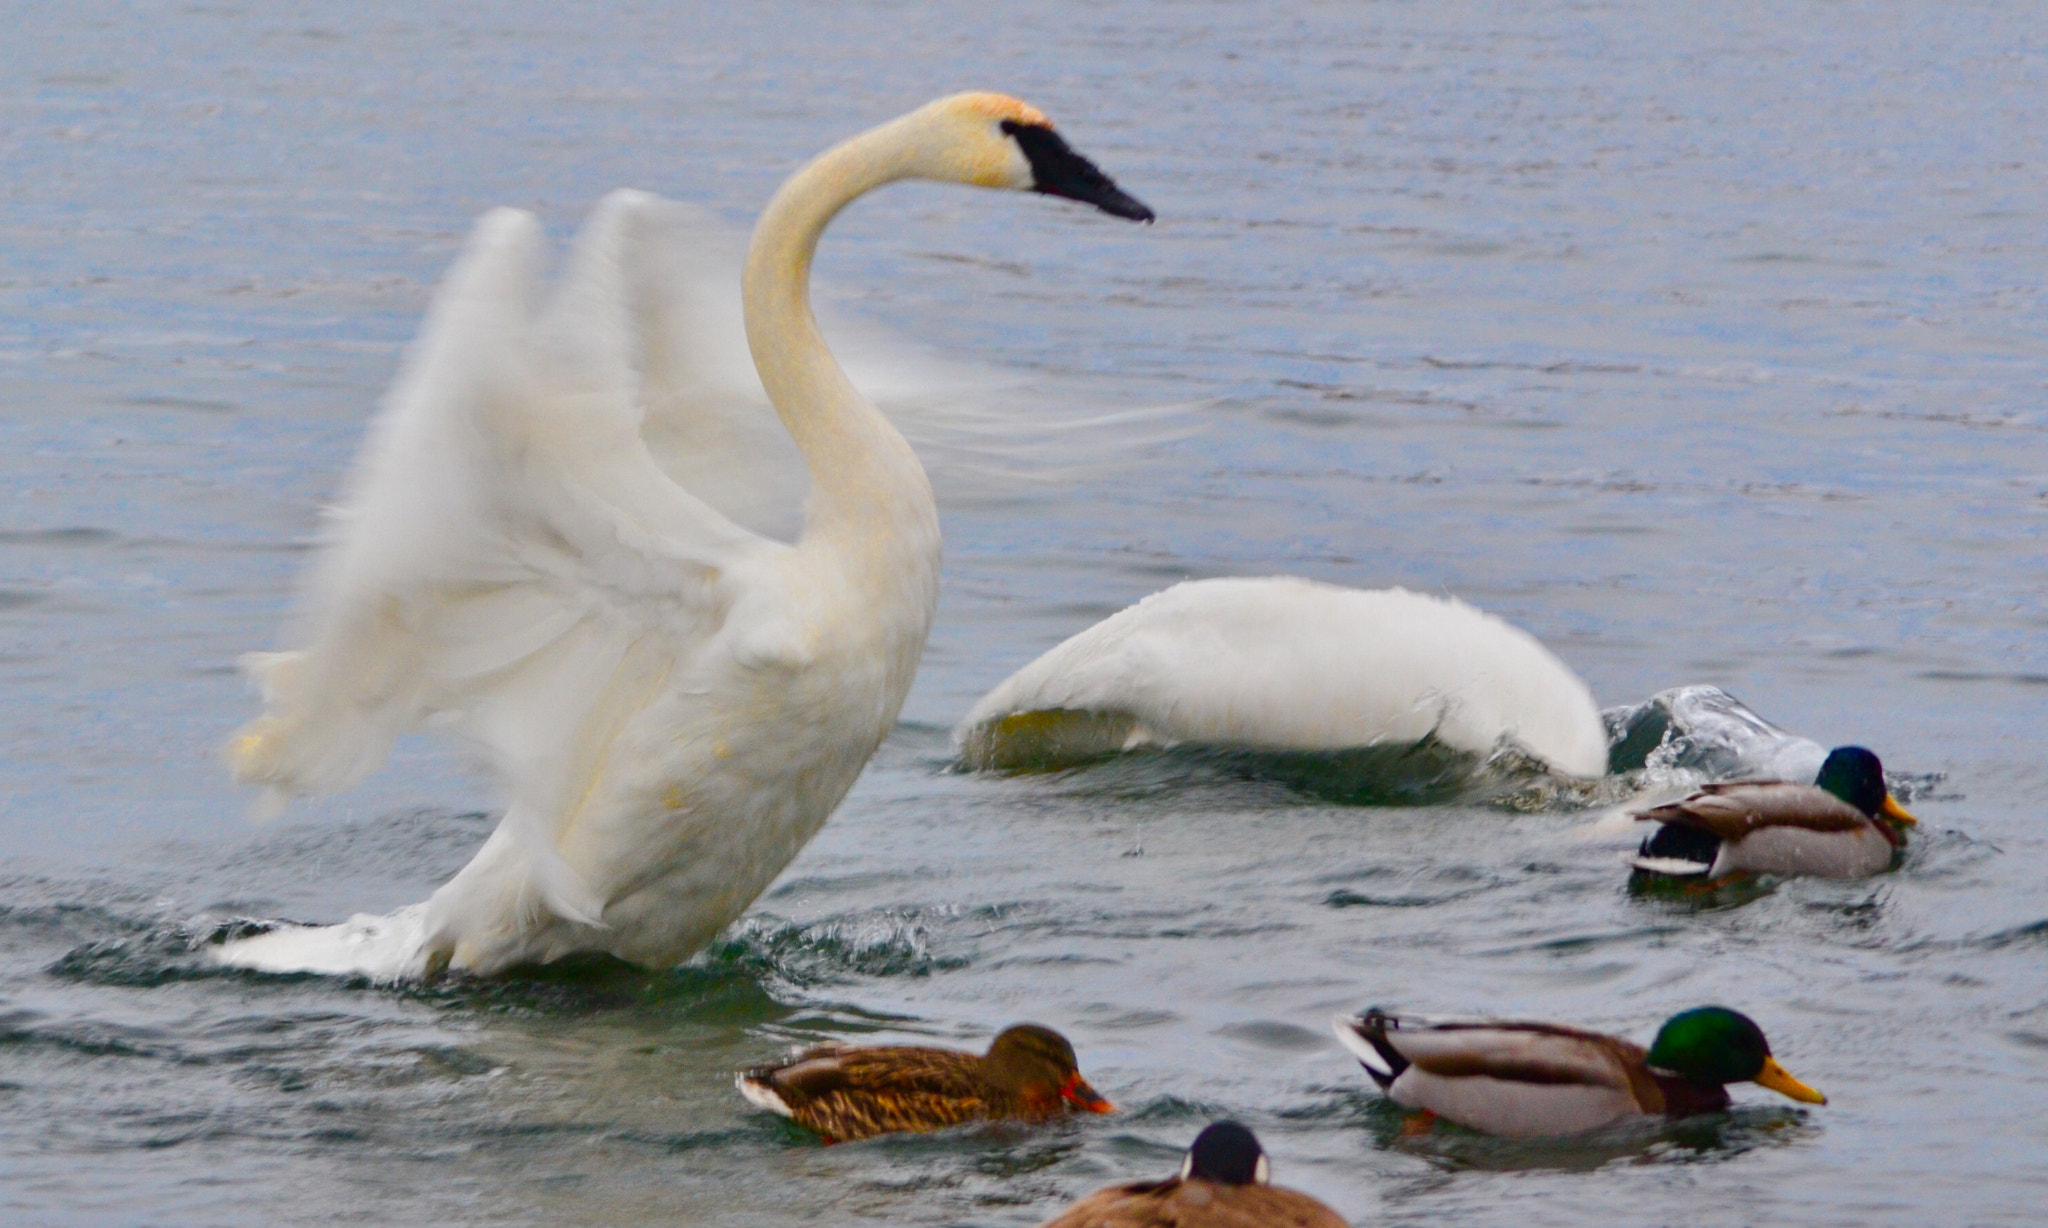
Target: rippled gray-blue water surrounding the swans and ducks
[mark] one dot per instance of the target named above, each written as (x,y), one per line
(1707,343)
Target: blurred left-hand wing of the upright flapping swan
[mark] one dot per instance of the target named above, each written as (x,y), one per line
(509,560)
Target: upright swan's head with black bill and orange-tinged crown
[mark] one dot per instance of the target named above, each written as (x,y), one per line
(998,142)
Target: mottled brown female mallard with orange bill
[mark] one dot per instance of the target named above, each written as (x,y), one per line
(857,1092)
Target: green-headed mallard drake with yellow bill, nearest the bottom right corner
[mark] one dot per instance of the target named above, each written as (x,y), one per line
(1537,1080)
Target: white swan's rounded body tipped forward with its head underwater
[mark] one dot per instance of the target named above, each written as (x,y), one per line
(1287,664)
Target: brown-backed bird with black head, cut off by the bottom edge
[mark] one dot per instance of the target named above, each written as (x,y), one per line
(1220,1186)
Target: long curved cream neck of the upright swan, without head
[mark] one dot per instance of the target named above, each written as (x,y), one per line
(865,480)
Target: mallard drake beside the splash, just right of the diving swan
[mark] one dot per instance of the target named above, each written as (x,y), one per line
(1842,826)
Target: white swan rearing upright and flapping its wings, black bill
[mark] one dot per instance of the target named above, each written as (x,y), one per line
(673,703)
